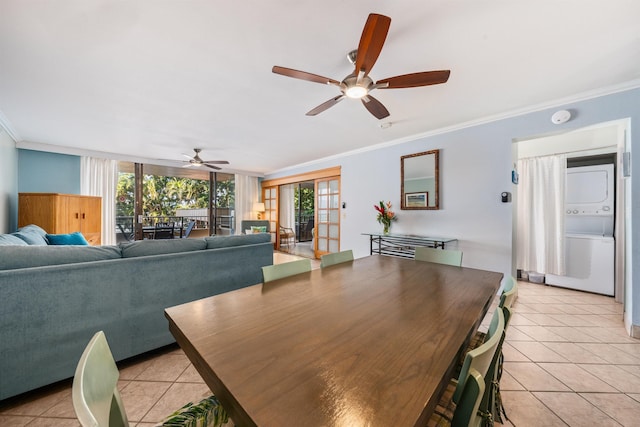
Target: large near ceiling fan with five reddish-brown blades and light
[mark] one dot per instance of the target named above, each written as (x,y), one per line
(358,85)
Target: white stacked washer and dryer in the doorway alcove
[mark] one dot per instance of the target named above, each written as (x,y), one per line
(589,226)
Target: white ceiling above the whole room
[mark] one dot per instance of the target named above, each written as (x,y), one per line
(152,79)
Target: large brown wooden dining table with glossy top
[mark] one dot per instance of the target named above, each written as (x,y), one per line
(371,342)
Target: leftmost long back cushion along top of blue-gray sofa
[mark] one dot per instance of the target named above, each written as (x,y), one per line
(14,257)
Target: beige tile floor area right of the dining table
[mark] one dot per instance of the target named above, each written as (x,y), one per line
(569,361)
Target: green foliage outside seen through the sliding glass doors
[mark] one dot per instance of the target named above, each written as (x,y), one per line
(162,195)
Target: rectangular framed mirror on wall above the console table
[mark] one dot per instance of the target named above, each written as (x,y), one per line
(420,181)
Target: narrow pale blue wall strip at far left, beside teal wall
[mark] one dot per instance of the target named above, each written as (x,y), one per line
(8,183)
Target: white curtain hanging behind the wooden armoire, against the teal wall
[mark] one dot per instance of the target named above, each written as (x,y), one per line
(99,177)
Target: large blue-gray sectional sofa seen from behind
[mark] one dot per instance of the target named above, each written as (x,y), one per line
(54,298)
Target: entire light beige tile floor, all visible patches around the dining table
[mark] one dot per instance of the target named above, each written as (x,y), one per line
(568,362)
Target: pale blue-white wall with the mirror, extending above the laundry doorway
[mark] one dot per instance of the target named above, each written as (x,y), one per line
(475,167)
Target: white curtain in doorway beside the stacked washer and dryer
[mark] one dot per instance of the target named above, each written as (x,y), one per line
(540,229)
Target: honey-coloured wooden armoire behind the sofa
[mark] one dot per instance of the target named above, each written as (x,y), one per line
(62,214)
